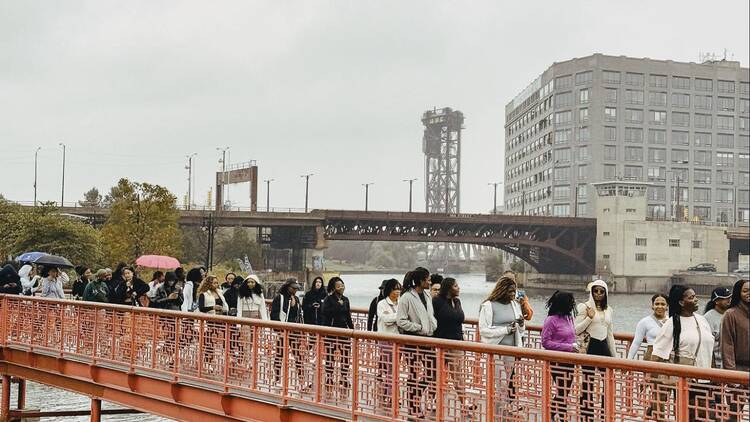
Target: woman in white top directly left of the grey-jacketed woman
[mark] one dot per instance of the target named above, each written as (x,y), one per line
(386,312)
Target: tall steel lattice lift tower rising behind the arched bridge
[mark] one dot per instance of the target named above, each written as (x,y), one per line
(441,145)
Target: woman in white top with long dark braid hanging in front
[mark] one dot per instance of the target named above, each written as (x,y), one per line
(685,339)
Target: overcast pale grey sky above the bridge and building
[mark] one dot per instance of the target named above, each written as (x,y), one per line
(331,88)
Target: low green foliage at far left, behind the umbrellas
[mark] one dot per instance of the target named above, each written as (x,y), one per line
(43,229)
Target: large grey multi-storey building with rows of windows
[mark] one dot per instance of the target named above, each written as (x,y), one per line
(683,127)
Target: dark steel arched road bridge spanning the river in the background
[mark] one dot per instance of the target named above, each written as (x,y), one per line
(552,245)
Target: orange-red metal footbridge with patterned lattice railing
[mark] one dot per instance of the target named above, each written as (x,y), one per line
(209,368)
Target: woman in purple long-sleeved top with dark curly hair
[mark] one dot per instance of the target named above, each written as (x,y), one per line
(559,333)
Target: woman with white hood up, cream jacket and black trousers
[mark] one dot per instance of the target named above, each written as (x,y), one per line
(594,322)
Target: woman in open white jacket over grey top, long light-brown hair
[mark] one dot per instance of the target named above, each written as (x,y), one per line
(501,322)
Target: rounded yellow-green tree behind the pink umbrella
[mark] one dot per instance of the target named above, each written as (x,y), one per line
(143,220)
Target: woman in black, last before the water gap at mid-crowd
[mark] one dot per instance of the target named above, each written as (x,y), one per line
(337,313)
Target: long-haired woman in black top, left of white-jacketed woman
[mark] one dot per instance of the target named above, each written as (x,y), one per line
(450,318)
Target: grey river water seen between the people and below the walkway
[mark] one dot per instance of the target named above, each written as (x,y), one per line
(360,288)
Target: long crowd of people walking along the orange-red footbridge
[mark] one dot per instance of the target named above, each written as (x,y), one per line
(429,305)
